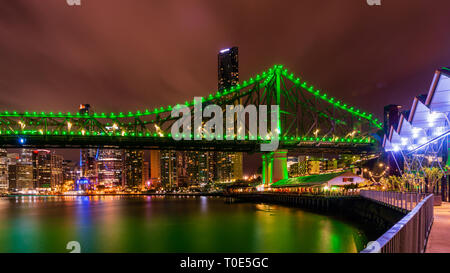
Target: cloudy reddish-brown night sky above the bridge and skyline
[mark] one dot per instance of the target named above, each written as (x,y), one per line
(132,55)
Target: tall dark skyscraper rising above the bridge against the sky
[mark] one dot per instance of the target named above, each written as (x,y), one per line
(228,68)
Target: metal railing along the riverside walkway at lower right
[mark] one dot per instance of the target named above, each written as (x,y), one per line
(411,233)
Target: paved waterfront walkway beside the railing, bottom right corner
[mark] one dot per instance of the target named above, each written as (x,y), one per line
(439,240)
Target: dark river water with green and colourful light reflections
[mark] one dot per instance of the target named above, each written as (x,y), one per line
(168,224)
